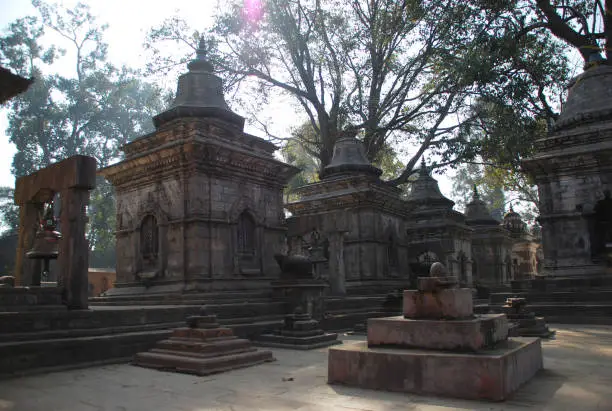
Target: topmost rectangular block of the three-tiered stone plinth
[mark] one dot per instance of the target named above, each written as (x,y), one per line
(449,303)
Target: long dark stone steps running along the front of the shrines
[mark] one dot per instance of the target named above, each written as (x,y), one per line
(114,329)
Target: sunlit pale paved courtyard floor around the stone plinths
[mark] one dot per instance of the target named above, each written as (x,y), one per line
(578,376)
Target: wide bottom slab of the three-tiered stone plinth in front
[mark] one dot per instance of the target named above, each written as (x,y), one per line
(491,374)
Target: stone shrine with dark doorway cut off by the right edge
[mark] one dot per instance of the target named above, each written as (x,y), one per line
(573,170)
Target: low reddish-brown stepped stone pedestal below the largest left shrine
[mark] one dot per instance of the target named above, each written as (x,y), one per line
(203,348)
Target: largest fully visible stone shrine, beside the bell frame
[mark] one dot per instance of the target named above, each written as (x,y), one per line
(199,201)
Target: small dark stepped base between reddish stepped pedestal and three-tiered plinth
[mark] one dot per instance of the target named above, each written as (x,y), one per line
(300,332)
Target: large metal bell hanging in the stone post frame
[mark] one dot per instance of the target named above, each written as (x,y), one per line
(46,242)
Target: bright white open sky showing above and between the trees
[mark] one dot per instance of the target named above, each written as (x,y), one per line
(128,22)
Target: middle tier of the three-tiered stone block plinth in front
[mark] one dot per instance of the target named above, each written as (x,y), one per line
(471,334)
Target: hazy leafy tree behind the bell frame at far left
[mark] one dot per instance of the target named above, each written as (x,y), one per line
(93,112)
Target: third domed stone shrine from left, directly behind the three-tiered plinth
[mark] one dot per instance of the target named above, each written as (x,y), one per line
(435,231)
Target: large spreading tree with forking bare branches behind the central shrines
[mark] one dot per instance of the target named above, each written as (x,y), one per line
(410,71)
